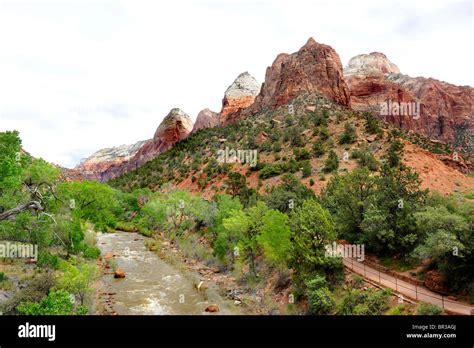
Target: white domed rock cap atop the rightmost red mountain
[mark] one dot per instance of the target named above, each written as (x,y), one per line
(375,63)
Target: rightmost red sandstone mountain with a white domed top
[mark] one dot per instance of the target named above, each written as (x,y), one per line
(445,112)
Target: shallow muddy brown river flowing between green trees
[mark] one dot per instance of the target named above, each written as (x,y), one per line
(152,286)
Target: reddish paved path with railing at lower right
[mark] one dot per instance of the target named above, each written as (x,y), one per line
(411,291)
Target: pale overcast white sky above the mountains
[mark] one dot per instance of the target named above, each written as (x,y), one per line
(78,76)
